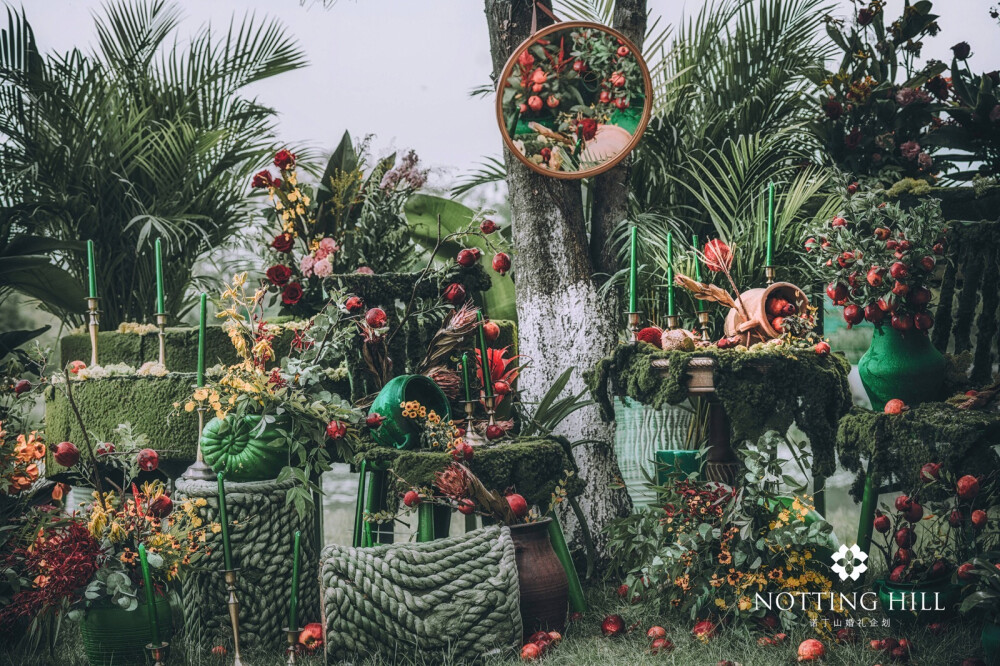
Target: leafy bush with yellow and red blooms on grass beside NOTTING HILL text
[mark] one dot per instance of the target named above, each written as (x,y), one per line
(709,549)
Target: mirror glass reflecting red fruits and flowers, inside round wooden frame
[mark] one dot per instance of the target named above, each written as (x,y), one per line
(564,89)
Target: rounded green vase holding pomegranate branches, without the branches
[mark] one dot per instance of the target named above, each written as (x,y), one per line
(901,365)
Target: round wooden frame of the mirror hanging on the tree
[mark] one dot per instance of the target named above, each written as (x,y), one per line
(647,108)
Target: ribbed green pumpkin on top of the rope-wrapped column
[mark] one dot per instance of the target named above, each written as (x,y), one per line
(236,447)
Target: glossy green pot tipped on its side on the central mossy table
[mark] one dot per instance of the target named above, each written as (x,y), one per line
(397,430)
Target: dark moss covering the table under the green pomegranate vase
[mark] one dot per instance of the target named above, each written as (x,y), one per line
(895,446)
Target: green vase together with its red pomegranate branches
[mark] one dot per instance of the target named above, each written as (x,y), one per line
(878,259)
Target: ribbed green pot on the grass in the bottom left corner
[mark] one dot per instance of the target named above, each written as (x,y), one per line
(113,636)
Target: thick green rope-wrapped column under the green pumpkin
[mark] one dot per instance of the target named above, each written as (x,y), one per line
(262,534)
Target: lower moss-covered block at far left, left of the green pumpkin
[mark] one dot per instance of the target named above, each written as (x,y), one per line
(145,402)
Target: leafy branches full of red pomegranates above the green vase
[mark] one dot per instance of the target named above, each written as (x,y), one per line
(878,258)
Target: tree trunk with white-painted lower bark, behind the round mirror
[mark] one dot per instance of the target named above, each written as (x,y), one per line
(562,319)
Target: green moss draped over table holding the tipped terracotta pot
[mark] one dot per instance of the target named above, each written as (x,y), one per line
(766,388)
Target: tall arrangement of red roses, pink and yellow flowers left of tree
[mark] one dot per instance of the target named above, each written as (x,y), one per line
(348,221)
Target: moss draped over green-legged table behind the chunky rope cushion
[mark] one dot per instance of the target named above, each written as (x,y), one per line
(531,466)
